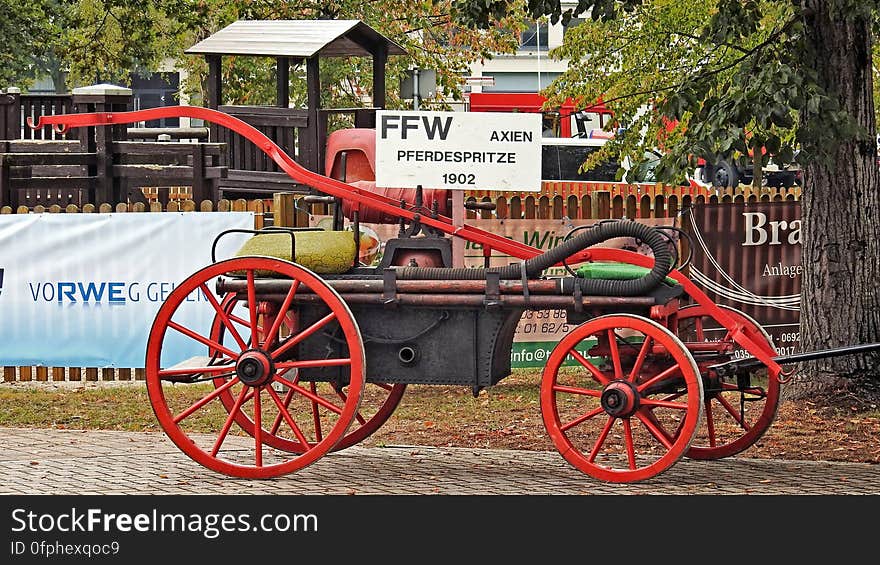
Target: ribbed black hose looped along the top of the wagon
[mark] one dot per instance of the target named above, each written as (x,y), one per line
(532,268)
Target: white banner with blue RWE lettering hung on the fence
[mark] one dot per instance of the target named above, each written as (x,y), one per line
(82,290)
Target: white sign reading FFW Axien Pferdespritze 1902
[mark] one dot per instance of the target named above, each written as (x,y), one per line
(458,150)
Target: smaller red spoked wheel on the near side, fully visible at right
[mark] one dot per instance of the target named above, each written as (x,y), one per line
(607,413)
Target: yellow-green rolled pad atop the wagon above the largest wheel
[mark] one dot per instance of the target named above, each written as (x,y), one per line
(324,252)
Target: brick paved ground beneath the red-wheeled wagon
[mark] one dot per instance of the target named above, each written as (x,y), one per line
(38,461)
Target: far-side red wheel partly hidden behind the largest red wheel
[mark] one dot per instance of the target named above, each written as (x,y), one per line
(378,401)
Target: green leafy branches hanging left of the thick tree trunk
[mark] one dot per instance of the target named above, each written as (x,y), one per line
(707,78)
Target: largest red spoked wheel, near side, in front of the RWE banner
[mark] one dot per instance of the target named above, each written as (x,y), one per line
(257,360)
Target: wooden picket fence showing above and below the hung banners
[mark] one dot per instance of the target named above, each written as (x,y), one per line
(597,202)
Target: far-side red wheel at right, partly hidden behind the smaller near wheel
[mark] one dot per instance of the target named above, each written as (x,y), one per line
(734,419)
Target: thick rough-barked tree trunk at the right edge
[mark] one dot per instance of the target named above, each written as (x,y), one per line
(840,297)
